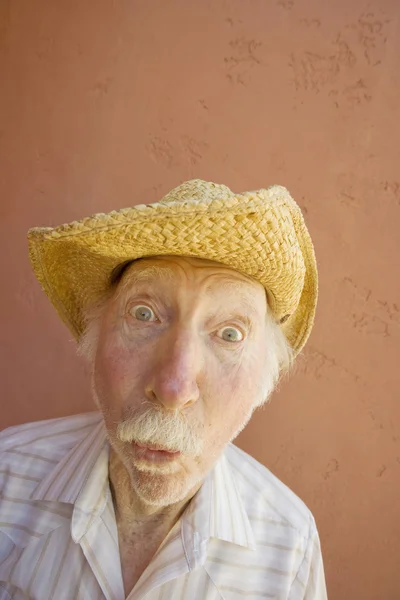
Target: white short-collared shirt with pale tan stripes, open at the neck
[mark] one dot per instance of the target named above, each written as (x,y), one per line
(244,535)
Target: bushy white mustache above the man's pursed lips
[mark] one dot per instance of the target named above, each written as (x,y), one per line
(152,425)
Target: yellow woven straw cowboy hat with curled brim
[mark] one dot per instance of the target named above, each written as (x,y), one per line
(261,233)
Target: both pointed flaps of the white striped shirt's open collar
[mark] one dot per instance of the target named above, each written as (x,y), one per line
(81,478)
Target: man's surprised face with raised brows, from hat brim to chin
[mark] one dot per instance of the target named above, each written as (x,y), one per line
(179,367)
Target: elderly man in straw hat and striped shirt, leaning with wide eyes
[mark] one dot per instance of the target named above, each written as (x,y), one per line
(188,311)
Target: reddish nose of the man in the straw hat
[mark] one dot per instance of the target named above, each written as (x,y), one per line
(174,382)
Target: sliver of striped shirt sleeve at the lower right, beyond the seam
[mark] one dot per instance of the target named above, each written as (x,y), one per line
(309,583)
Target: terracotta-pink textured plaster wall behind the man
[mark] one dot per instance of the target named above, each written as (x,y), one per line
(105,104)
